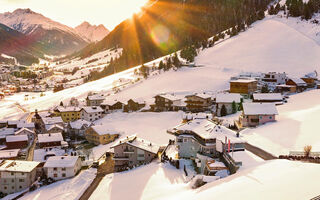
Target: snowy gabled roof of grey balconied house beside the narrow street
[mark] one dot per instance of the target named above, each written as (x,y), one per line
(140,143)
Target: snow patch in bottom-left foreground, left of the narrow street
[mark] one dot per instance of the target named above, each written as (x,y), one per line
(70,189)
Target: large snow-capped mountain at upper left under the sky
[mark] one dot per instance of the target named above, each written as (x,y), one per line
(56,38)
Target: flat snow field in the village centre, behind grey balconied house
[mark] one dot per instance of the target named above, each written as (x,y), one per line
(147,125)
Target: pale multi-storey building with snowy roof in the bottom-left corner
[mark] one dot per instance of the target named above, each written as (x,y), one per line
(17,175)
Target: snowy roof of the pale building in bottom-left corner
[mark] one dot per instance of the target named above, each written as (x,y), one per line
(18,166)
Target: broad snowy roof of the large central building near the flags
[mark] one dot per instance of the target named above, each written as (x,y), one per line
(207,129)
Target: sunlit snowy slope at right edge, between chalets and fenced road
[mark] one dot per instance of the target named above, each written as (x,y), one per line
(296,126)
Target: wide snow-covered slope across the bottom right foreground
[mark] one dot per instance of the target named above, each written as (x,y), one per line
(274,179)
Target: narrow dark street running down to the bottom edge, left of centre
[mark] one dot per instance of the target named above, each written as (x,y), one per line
(106,168)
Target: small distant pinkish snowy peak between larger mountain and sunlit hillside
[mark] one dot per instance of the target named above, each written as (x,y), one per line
(92,33)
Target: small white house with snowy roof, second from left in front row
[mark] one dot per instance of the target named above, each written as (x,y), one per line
(61,167)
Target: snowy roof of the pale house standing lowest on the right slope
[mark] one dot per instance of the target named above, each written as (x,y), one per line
(260,109)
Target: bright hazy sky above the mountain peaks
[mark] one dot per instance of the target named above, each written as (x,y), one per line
(73,12)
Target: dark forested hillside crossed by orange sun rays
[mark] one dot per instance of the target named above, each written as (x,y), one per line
(170,25)
